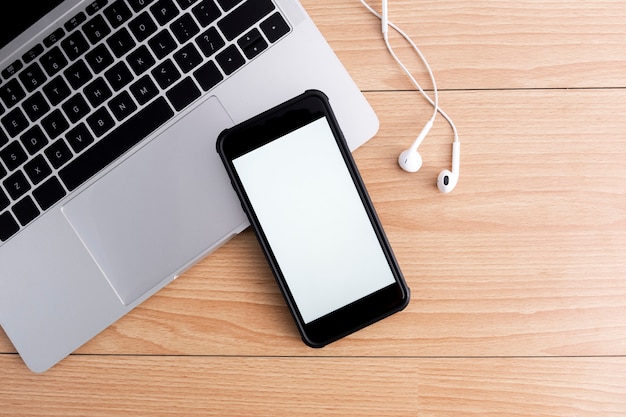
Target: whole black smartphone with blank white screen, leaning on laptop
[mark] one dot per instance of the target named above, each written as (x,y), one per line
(311,213)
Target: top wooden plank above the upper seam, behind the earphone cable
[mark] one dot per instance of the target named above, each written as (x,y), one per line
(484,44)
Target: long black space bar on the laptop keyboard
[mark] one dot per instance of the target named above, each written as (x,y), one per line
(112,146)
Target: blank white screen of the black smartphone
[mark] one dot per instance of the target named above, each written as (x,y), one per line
(312,215)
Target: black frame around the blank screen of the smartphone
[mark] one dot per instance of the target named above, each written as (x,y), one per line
(269,126)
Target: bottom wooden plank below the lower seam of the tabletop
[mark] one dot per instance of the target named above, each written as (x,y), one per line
(218,386)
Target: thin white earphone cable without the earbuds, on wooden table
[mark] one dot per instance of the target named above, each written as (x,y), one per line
(435,102)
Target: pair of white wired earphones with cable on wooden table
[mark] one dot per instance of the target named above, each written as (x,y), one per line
(410,160)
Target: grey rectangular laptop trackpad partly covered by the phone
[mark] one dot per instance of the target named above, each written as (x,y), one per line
(149,218)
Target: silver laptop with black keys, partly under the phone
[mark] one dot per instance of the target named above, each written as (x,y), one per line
(110,185)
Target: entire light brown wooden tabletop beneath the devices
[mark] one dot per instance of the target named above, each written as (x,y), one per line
(518,277)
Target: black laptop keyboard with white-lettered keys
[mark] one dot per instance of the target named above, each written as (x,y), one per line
(106,79)
